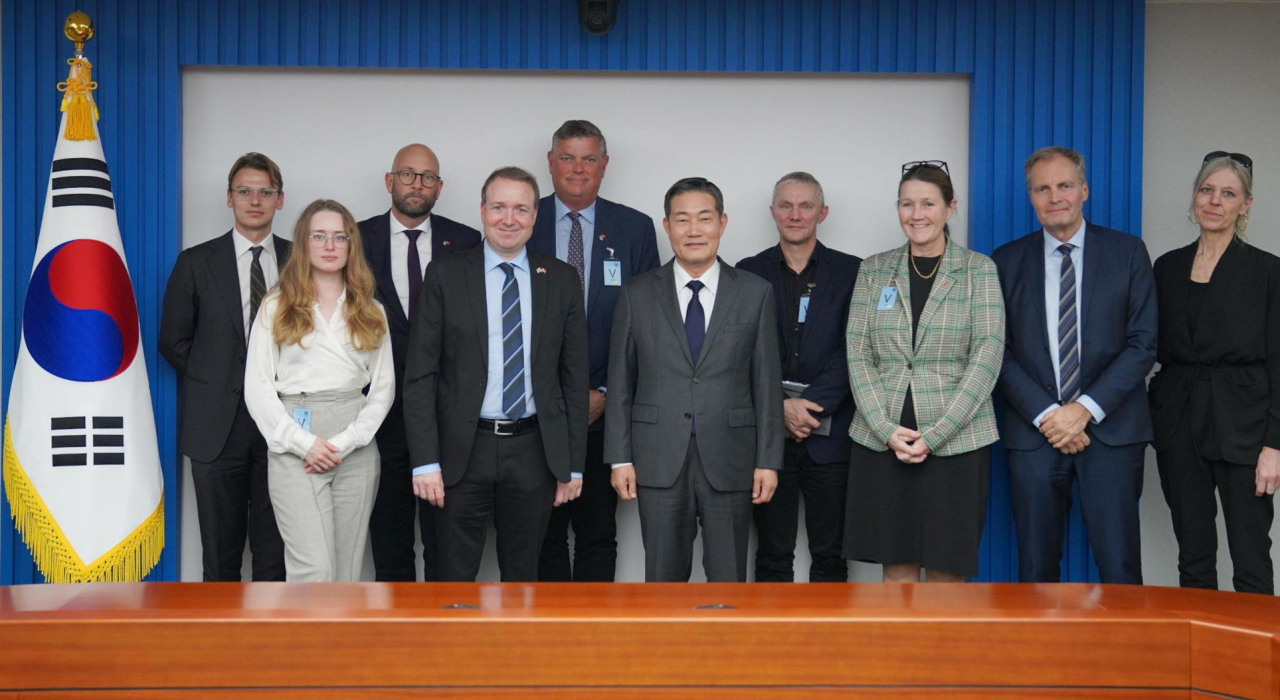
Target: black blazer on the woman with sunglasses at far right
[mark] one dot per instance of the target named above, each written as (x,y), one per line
(1237,344)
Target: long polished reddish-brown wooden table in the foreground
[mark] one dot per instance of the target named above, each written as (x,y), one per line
(634,640)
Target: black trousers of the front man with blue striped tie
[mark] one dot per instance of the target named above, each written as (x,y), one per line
(508,482)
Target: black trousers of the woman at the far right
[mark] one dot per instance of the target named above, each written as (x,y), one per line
(1188,483)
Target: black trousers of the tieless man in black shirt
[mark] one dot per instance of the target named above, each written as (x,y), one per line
(778,521)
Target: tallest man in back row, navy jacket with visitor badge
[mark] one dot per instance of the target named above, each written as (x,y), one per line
(607,244)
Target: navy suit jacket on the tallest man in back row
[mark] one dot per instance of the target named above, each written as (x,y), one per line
(636,246)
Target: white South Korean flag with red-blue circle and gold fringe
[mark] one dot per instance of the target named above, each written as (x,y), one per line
(81,464)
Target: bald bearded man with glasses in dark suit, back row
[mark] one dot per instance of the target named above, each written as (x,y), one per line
(399,246)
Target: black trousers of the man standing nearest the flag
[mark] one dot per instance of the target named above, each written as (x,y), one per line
(234,504)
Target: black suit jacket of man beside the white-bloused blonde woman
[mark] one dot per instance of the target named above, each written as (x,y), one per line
(449,358)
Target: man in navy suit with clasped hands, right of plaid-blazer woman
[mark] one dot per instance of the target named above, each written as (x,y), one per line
(1081,310)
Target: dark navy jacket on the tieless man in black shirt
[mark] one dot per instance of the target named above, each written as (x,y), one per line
(824,363)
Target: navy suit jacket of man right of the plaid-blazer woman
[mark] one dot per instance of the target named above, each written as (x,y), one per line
(1118,337)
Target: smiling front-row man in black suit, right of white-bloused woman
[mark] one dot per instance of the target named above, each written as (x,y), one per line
(496,388)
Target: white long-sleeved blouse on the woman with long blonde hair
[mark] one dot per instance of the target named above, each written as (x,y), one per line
(324,362)
